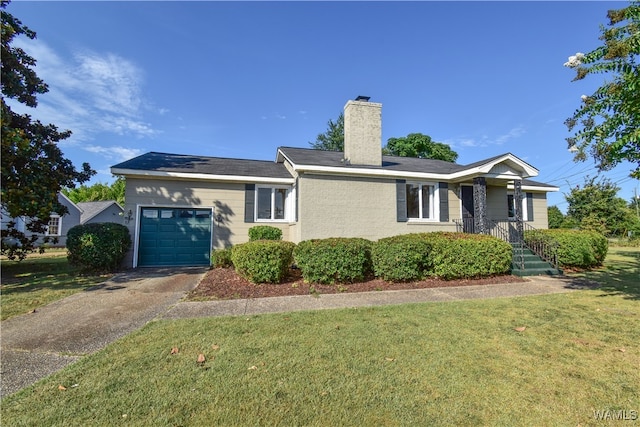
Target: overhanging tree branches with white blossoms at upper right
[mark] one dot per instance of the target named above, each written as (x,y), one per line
(607,123)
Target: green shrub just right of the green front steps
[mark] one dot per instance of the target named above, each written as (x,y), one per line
(576,248)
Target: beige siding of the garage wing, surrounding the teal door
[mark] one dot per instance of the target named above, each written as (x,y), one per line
(226,199)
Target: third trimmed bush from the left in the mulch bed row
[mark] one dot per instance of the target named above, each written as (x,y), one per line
(401,258)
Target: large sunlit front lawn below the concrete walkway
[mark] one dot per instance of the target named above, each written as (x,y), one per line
(453,363)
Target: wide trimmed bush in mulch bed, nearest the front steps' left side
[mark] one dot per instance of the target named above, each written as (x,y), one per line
(466,256)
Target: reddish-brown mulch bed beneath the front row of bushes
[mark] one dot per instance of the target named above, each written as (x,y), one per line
(225,283)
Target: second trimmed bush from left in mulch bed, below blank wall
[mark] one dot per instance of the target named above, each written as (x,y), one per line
(334,260)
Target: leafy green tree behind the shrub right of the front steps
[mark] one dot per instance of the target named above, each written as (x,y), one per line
(596,206)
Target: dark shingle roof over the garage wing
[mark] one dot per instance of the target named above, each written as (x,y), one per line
(164,162)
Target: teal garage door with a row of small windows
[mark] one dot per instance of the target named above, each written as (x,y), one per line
(174,237)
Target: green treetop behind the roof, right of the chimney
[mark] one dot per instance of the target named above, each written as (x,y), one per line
(421,146)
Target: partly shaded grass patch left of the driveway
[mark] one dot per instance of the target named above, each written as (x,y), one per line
(40,280)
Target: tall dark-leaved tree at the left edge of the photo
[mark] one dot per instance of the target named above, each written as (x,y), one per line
(34,169)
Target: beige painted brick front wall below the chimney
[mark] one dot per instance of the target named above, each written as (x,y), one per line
(332,206)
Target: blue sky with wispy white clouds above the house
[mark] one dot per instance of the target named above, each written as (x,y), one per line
(239,79)
